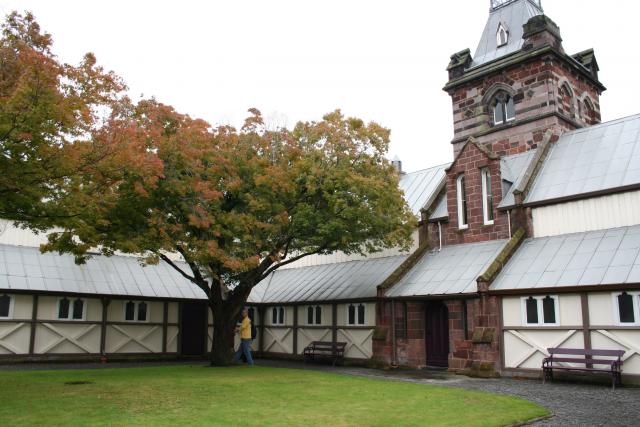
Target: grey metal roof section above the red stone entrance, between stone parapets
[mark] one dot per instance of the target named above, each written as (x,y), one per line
(453,270)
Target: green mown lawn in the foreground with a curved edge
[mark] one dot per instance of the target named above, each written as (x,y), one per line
(197,395)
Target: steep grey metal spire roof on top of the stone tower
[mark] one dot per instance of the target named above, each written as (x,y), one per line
(513,16)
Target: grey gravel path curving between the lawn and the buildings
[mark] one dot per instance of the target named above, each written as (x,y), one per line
(572,404)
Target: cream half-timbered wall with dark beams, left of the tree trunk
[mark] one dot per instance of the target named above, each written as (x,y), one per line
(34,329)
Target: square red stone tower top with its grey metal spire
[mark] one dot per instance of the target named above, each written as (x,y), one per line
(520,82)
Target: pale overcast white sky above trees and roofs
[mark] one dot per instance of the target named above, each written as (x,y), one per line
(382,61)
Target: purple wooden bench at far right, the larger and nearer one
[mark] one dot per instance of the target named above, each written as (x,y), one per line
(607,361)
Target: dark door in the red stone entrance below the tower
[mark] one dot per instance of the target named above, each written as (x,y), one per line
(437,334)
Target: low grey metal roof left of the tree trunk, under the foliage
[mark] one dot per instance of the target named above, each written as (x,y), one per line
(25,268)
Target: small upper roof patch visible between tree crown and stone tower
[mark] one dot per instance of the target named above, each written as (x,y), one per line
(421,186)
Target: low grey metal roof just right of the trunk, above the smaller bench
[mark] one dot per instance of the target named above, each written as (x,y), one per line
(340,281)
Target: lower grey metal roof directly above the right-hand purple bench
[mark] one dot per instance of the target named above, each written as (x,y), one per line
(603,257)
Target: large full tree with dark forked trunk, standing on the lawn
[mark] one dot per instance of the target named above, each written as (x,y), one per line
(237,205)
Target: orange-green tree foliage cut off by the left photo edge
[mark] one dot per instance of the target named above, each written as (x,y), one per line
(48,113)
